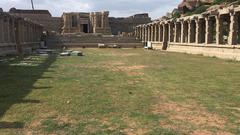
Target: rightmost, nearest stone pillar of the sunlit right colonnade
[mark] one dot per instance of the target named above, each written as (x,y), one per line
(233,32)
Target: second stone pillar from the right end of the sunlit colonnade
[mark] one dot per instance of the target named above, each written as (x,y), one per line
(219,31)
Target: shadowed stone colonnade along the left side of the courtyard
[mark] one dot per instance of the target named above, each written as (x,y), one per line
(15,31)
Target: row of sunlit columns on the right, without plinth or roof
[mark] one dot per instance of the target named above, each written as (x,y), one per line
(200,29)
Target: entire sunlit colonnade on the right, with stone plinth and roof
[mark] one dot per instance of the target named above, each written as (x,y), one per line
(213,33)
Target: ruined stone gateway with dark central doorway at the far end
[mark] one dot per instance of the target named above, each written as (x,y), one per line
(79,22)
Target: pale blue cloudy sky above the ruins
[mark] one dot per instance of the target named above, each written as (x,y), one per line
(117,8)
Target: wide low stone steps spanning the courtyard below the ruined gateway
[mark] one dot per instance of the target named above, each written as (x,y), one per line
(92,41)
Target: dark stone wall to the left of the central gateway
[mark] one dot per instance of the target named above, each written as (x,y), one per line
(43,17)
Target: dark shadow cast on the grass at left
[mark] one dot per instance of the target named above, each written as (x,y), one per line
(17,77)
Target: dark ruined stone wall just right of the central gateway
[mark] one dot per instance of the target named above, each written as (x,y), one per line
(128,24)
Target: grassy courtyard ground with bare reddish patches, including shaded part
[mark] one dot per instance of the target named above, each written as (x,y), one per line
(120,92)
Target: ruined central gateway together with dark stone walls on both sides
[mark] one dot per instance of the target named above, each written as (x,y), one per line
(80,22)
